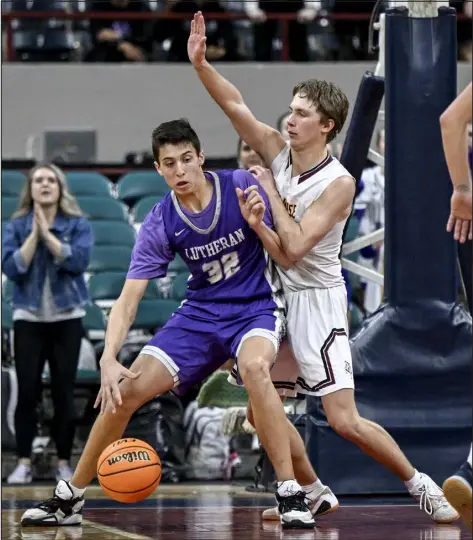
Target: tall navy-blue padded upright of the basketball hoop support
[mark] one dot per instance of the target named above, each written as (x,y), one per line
(421,75)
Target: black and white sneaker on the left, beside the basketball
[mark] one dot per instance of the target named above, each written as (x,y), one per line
(63,509)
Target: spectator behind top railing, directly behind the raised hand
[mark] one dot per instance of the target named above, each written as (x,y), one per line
(222,42)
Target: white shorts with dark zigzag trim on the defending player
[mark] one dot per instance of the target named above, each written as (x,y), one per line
(316,357)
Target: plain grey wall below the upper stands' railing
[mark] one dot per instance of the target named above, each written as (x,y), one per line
(125,103)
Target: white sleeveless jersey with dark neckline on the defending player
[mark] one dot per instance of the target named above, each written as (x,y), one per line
(321,267)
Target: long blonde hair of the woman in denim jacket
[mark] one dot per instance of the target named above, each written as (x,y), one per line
(67,204)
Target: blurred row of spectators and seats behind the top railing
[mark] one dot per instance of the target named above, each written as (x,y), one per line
(312,34)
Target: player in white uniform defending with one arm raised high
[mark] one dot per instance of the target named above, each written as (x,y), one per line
(311,200)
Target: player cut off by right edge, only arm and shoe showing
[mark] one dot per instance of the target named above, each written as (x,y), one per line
(454,122)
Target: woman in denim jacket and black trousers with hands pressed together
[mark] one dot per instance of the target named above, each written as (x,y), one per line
(45,252)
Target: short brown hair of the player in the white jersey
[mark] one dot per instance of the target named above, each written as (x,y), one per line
(329,100)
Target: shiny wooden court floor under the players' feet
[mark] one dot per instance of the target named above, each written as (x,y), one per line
(221,512)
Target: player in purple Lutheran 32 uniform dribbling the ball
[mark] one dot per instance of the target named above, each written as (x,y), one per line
(233,308)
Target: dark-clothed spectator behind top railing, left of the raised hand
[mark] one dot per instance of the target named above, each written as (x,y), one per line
(122,40)
